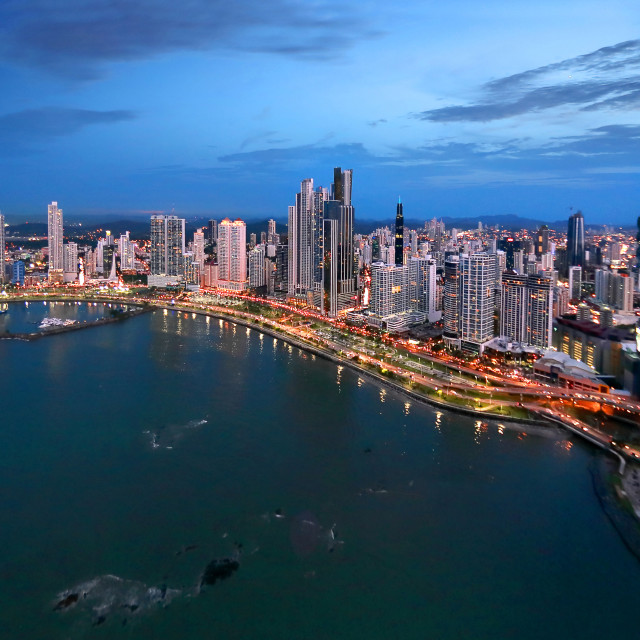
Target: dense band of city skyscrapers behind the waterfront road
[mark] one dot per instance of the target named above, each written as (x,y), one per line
(484,289)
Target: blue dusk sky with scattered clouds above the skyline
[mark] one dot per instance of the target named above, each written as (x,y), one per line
(121,108)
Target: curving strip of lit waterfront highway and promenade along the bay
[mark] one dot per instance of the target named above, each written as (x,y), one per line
(439,381)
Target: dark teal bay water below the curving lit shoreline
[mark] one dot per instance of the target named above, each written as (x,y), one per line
(443,530)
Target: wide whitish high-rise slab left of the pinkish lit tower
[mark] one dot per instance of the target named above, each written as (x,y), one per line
(167,248)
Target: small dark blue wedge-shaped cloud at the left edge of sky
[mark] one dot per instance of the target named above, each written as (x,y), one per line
(21,130)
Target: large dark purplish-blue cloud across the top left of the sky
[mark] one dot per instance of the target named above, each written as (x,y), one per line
(77,37)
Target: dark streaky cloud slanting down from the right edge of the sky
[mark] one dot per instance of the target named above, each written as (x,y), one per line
(608,78)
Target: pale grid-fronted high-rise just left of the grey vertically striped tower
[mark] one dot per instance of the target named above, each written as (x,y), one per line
(477,283)
